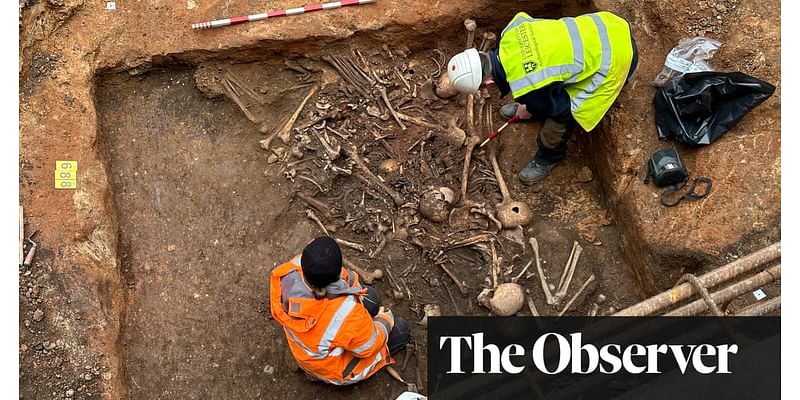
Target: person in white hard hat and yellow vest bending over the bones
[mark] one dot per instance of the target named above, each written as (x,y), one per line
(566,70)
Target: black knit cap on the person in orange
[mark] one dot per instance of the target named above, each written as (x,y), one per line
(321,262)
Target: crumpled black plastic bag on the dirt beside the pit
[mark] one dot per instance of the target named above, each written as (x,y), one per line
(697,108)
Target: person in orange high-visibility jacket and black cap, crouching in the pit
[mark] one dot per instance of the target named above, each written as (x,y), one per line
(336,330)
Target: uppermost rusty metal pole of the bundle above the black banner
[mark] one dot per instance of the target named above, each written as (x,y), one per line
(711,279)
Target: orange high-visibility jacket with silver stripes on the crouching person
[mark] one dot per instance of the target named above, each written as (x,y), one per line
(334,338)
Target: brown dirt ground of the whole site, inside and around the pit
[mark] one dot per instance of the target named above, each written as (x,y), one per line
(151,277)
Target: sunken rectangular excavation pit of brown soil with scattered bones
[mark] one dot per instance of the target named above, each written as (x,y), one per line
(204,212)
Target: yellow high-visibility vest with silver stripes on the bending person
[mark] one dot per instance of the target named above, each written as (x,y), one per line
(591,54)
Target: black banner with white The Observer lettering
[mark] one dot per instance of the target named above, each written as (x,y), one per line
(589,358)
